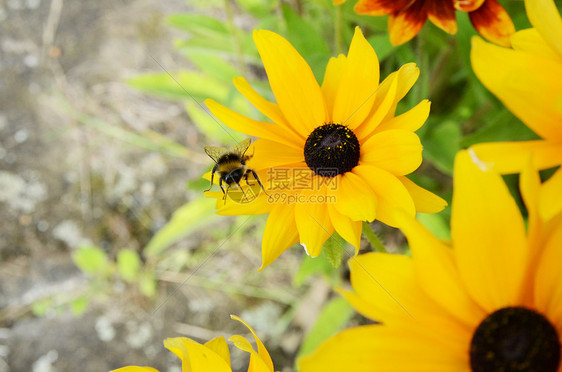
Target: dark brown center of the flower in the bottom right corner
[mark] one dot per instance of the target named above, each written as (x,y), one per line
(515,339)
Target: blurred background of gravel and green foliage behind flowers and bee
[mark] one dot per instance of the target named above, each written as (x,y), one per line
(107,245)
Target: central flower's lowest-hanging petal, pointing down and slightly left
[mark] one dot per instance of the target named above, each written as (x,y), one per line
(280,233)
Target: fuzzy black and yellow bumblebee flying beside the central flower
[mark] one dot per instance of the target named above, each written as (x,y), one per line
(231,166)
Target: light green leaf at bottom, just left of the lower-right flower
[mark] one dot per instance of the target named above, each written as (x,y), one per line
(334,316)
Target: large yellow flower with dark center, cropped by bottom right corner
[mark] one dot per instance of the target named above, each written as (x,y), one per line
(489,301)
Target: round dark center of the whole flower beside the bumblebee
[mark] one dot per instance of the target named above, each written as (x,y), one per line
(331,149)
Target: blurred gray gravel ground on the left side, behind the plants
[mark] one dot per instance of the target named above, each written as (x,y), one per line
(63,184)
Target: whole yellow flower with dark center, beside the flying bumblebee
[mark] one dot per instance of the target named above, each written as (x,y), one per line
(335,154)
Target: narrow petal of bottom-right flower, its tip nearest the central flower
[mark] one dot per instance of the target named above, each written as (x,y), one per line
(437,273)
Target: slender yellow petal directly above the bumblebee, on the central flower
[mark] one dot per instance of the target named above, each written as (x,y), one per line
(240,123)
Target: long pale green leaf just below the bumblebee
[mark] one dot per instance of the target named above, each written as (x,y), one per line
(190,217)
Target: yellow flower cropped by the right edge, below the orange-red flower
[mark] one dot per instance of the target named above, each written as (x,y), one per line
(528,80)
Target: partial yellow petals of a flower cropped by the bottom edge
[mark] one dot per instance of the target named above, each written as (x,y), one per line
(213,355)
